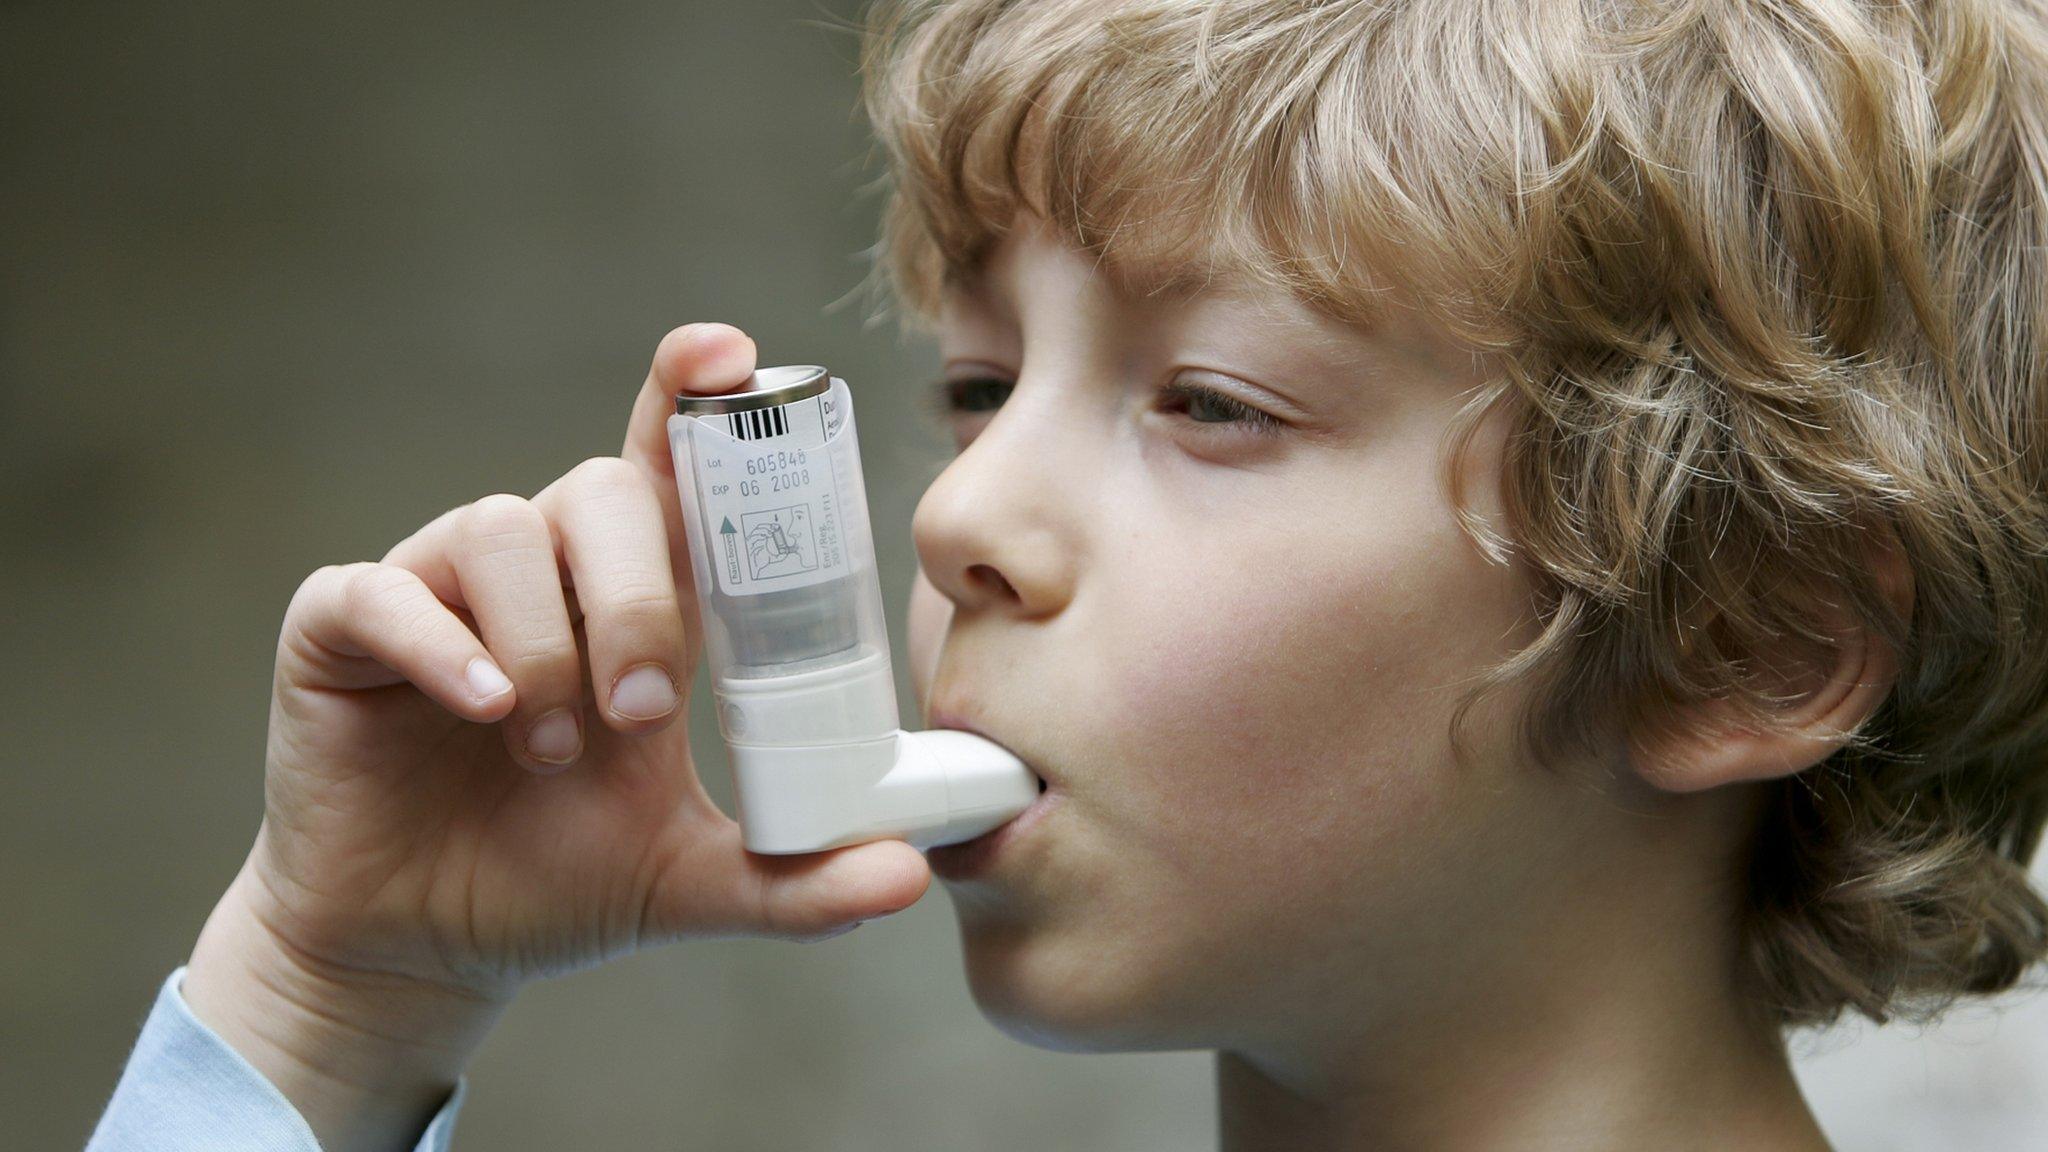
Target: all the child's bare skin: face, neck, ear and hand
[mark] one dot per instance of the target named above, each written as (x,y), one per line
(1232,655)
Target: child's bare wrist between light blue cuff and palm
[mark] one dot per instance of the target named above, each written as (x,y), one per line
(366,1057)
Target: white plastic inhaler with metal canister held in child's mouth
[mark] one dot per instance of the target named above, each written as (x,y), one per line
(777,522)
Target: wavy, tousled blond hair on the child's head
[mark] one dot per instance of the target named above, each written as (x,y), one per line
(1770,286)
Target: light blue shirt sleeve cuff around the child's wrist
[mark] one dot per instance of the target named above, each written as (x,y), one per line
(185,1092)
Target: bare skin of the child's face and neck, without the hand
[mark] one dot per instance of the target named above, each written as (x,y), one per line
(1240,661)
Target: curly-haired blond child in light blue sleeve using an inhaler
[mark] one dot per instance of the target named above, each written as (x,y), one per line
(1514,534)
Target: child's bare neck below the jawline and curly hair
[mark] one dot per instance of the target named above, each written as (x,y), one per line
(1637,1042)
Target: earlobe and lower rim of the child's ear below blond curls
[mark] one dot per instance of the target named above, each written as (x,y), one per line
(1719,743)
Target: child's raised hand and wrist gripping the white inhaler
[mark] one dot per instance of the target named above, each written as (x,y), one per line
(478,776)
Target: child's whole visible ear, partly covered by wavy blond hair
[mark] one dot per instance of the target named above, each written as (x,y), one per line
(1828,696)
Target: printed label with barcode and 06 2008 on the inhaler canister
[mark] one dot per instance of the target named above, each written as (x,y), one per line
(771,497)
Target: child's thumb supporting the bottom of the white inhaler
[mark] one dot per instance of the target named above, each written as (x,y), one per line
(732,893)
